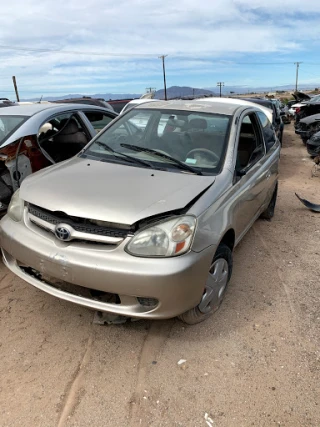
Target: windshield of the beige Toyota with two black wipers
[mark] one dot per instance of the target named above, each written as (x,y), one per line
(181,141)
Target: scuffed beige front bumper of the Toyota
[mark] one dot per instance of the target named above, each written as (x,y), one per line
(103,279)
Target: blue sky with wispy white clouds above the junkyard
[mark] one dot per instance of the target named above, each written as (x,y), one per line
(98,46)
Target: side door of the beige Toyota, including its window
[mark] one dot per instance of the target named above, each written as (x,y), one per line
(250,174)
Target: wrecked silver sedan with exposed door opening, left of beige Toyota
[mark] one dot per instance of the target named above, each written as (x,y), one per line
(38,135)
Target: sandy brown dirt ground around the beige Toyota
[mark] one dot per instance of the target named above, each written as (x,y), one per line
(254,363)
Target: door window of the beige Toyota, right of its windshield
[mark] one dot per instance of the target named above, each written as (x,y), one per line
(250,146)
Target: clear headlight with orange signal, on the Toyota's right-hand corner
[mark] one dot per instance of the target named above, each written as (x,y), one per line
(166,239)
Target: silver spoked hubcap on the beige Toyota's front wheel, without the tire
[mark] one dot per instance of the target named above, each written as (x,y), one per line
(215,286)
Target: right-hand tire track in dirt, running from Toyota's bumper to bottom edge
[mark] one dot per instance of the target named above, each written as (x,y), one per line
(153,344)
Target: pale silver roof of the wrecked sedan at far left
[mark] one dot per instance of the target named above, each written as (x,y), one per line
(29,110)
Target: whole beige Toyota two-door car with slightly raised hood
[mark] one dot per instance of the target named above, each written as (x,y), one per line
(147,225)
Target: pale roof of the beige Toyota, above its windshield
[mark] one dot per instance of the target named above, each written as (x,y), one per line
(226,106)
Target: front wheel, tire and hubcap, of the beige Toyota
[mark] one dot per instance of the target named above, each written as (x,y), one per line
(220,273)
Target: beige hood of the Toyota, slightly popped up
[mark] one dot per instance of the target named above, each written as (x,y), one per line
(111,192)
